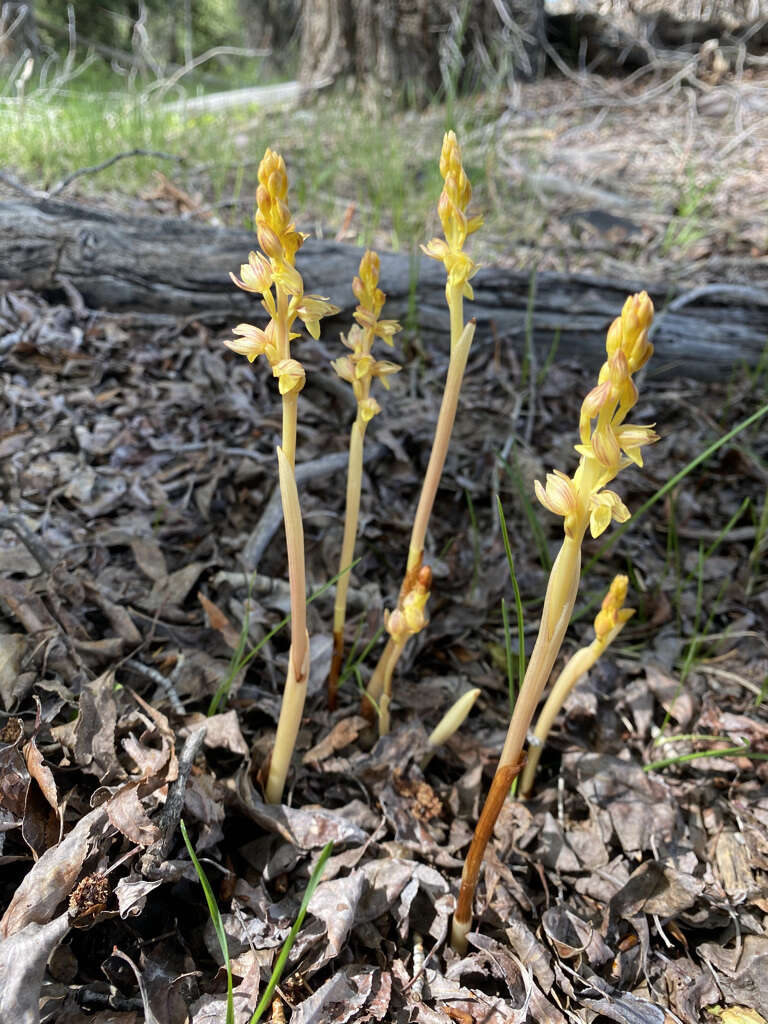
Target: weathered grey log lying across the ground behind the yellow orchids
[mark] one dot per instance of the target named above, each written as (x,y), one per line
(180,268)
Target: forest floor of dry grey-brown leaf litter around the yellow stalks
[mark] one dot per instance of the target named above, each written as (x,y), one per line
(137,465)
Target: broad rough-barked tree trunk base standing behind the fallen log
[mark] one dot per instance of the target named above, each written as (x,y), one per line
(413,49)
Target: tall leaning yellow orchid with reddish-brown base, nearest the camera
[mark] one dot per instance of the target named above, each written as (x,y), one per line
(583,503)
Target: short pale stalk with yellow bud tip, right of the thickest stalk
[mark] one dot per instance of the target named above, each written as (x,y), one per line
(609,624)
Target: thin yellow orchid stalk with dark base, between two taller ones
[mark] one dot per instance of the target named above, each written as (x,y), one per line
(360,369)
